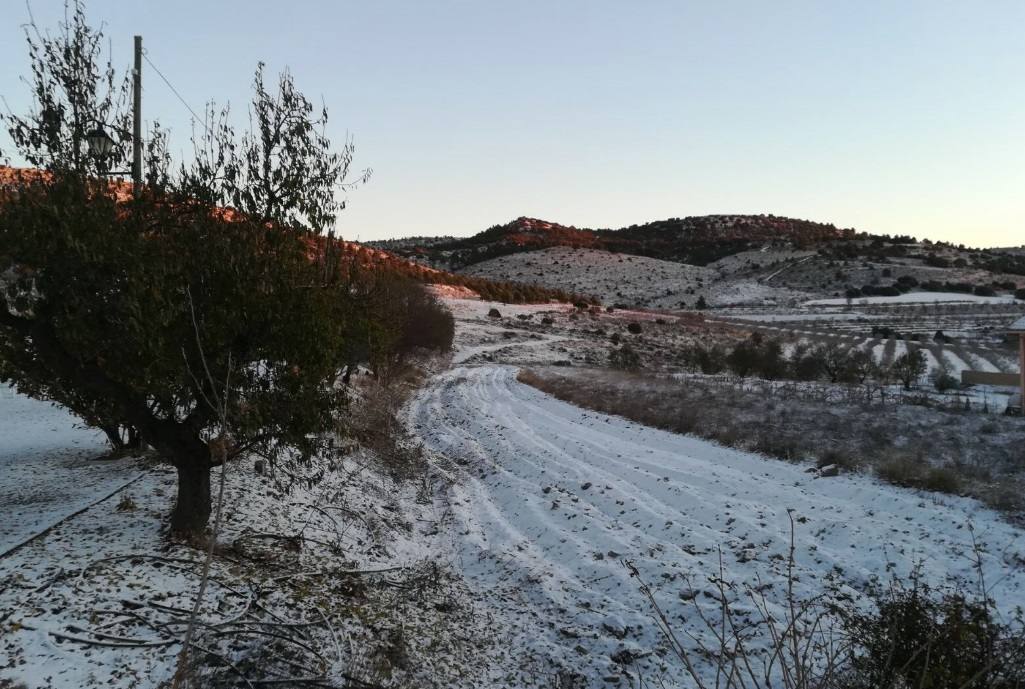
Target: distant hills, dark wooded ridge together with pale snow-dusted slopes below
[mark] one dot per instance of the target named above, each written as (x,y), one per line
(729,260)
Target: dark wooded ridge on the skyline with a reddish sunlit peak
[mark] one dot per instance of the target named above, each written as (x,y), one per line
(698,240)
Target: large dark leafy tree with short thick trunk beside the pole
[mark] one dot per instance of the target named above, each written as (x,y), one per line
(197,327)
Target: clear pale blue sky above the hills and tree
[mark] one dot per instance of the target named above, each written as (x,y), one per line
(891,117)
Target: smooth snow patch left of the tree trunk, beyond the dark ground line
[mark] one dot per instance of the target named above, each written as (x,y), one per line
(48,468)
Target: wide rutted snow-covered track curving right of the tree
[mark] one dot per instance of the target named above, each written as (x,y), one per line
(551,500)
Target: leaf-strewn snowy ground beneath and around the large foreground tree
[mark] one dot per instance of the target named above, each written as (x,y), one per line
(321,578)
